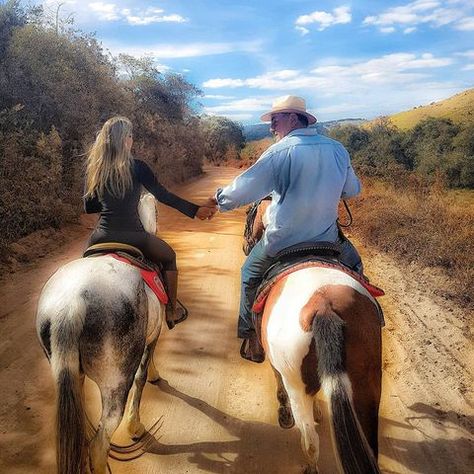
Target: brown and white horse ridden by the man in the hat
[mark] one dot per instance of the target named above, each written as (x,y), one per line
(321,329)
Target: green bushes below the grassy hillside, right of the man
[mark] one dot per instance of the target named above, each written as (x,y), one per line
(436,150)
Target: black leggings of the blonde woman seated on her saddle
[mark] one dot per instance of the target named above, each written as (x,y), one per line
(154,249)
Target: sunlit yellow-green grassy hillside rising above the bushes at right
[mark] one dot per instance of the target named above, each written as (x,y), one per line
(459,108)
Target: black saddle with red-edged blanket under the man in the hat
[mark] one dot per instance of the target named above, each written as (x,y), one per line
(297,257)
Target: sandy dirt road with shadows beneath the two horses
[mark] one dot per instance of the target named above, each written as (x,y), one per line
(219,411)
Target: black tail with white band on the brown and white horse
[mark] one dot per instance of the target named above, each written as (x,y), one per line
(354,453)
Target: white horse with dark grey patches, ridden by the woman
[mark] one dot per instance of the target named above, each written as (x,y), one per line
(96,317)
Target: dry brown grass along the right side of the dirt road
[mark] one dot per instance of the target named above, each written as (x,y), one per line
(432,228)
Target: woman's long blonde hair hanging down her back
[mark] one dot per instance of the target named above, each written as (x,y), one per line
(109,162)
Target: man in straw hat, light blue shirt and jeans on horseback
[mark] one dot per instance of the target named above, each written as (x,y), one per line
(306,175)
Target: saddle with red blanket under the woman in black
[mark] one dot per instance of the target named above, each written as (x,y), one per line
(150,272)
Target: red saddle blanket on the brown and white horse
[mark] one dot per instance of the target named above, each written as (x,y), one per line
(264,290)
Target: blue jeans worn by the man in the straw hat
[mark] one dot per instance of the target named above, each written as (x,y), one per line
(253,269)
